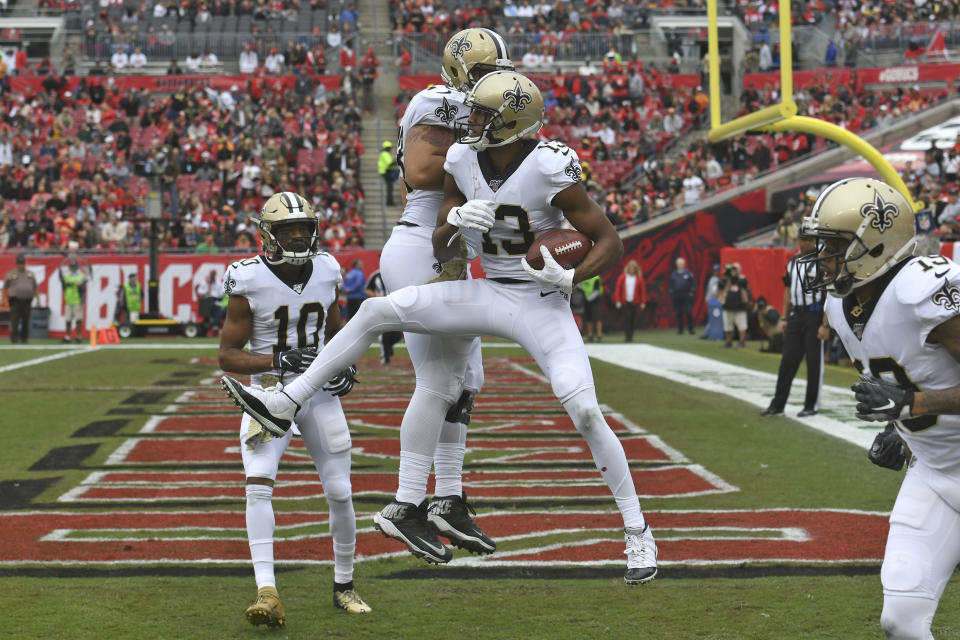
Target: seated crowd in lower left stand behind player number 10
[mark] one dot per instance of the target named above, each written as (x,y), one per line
(76,162)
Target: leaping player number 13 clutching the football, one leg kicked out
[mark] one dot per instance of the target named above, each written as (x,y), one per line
(510,189)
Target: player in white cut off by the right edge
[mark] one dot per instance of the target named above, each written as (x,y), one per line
(899,319)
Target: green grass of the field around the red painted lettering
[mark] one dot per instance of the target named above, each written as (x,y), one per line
(62,421)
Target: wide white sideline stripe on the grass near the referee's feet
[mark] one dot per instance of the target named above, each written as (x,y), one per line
(837,413)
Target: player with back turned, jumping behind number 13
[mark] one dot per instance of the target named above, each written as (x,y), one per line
(449,369)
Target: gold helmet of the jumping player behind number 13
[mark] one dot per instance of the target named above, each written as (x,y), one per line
(470,54)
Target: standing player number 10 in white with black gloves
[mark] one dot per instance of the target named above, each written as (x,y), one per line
(283,303)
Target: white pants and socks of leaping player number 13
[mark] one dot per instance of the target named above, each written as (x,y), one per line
(541,322)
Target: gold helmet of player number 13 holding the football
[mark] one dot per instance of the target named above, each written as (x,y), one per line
(504,106)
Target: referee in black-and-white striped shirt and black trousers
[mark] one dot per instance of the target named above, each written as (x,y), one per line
(803,337)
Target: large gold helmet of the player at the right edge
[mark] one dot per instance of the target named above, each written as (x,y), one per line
(863,227)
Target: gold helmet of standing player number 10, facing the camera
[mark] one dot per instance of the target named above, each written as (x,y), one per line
(294,245)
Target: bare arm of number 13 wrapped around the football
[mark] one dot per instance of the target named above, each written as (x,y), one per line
(588,218)
